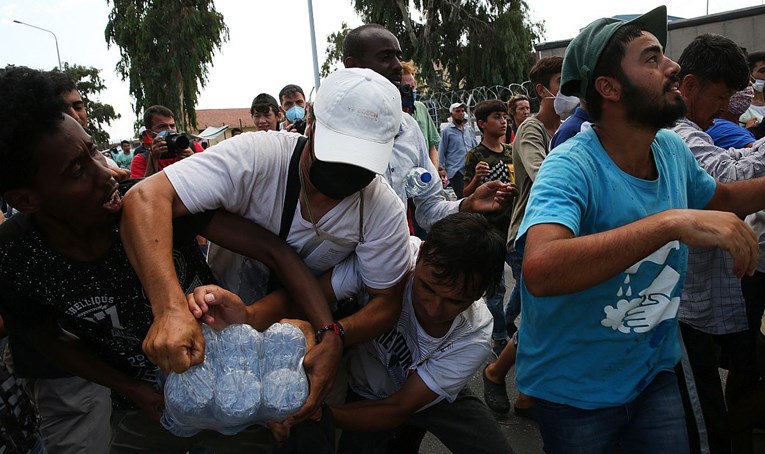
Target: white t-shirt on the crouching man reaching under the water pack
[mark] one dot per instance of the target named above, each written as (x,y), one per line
(380,367)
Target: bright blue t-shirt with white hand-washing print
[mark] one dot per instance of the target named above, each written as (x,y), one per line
(602,346)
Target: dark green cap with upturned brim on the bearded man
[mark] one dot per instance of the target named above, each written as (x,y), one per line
(584,51)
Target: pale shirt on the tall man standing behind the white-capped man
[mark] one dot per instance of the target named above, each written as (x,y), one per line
(409,151)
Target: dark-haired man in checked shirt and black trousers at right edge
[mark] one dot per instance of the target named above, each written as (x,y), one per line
(713,314)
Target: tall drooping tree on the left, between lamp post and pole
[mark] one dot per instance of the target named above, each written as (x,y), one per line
(165,48)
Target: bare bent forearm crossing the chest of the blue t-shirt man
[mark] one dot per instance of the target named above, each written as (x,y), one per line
(555,262)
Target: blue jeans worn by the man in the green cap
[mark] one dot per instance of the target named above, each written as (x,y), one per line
(652,423)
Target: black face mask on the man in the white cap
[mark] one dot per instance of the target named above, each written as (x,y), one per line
(338,180)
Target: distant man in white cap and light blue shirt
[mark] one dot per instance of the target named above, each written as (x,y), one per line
(456,140)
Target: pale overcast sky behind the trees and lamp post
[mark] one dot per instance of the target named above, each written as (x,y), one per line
(269,44)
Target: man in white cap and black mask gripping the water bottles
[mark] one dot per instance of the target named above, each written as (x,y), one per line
(340,206)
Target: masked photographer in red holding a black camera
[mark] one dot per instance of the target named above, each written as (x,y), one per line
(167,146)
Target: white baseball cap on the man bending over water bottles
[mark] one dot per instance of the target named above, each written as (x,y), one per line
(358,114)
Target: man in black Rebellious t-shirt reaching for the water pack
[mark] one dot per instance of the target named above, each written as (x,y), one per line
(63,268)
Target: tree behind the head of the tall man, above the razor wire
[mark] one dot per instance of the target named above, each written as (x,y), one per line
(456,43)
